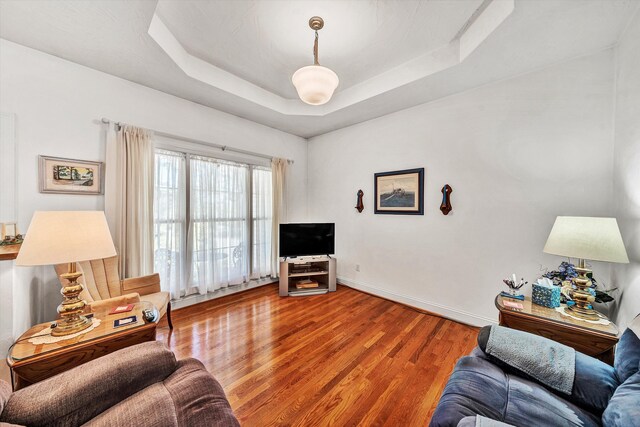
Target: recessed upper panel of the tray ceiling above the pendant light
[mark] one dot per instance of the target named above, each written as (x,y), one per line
(361,39)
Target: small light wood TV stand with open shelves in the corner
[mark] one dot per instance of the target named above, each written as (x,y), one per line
(321,269)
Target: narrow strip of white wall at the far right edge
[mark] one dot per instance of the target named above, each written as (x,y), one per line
(627,169)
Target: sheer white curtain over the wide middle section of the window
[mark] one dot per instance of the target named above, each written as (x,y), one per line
(218,230)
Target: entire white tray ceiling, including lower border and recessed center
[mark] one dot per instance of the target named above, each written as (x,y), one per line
(238,55)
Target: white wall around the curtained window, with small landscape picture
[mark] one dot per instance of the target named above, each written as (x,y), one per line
(58,105)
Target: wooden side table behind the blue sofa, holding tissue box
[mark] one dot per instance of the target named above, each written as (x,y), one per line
(591,339)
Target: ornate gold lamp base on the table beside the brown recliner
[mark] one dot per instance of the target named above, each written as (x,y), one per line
(72,306)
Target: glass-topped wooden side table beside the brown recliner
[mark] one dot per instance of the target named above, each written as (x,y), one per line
(30,363)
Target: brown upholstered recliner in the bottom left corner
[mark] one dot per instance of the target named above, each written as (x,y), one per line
(142,385)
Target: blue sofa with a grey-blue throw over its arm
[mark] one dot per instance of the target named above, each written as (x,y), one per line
(481,387)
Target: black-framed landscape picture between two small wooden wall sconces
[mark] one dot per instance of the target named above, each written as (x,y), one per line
(400,192)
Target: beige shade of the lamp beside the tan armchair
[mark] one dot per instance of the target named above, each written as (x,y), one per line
(59,237)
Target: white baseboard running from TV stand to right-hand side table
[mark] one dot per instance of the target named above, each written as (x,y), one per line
(431,307)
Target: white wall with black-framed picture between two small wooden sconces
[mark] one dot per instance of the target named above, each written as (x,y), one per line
(517,153)
